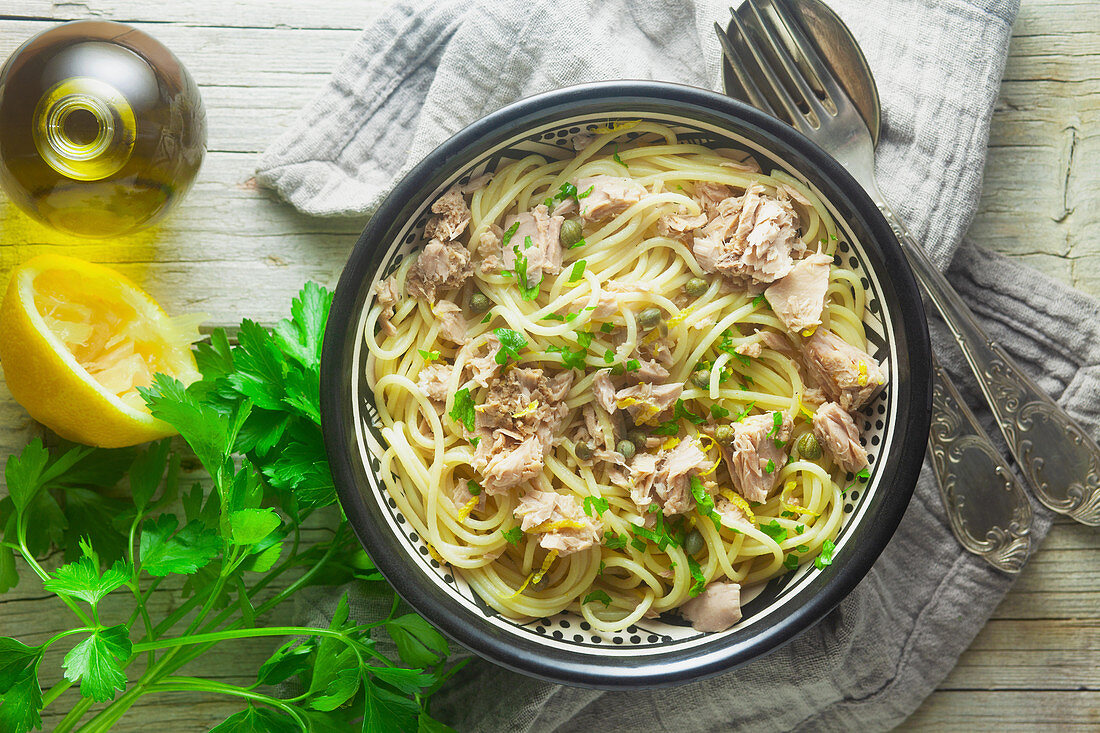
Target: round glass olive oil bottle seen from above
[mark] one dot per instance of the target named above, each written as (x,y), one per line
(102,129)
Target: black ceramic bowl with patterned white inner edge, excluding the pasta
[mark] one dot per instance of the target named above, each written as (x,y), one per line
(662,651)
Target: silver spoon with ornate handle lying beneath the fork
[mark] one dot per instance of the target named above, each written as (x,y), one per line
(987,509)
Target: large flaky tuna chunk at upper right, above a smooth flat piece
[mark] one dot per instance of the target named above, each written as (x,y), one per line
(751,238)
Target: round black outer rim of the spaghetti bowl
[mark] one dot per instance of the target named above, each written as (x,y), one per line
(555,665)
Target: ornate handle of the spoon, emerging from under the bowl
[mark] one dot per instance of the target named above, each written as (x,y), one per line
(987,509)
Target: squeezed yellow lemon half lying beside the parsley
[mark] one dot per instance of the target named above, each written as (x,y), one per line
(76,342)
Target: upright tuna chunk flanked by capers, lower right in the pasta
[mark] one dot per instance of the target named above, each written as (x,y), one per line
(755,460)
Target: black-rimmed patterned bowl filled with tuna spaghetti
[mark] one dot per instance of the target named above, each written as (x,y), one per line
(626,385)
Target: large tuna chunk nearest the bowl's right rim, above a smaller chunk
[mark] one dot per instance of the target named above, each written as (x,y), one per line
(846,375)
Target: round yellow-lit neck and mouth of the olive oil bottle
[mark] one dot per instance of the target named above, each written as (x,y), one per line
(84,129)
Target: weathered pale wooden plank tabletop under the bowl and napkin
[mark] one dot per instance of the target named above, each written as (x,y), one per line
(234,250)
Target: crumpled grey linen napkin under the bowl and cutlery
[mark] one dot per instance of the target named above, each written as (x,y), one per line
(425,71)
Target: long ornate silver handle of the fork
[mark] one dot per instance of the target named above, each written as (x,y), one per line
(1055,455)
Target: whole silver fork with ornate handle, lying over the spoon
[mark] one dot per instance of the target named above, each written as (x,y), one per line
(1055,455)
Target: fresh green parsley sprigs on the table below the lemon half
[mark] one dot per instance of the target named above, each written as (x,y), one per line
(254,424)
